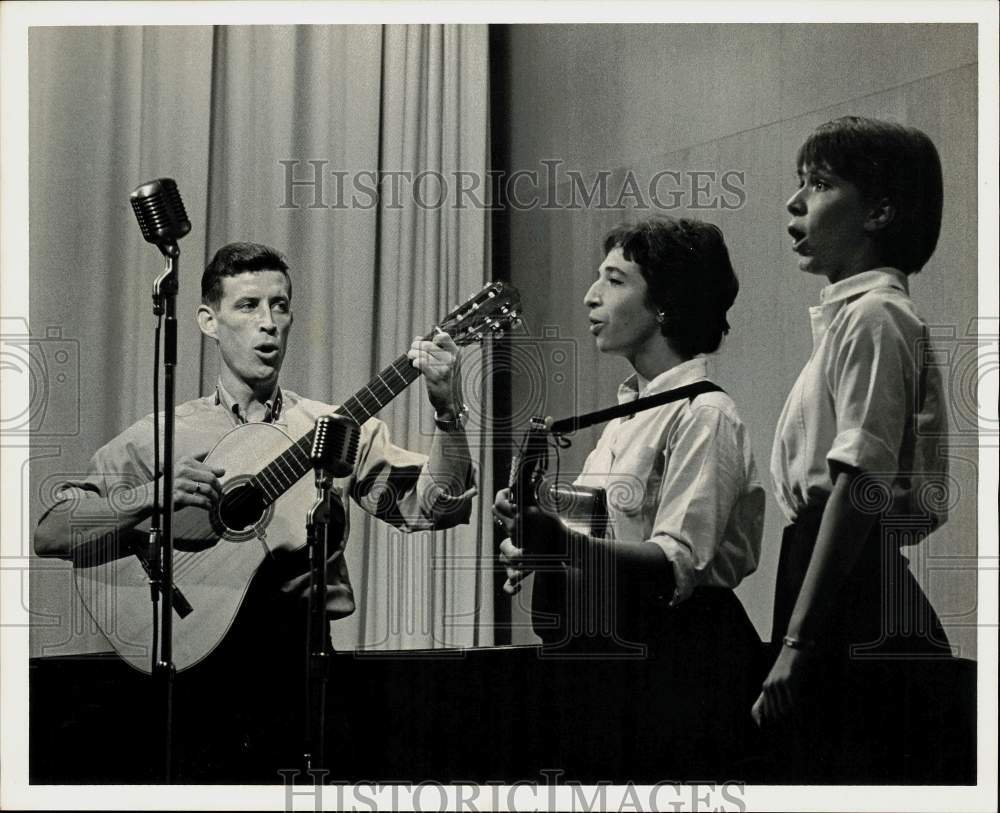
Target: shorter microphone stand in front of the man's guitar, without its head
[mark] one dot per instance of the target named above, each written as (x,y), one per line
(320,532)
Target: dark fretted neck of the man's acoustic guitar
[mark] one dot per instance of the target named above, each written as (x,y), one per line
(292,465)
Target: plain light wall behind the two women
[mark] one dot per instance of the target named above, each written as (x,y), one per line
(740,97)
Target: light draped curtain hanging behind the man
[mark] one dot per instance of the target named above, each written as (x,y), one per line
(276,135)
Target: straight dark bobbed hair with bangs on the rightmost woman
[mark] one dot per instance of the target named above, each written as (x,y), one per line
(886,160)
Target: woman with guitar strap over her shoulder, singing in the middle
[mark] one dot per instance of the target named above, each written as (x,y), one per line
(685,506)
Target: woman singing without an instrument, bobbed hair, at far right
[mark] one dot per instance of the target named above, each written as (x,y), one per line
(858,457)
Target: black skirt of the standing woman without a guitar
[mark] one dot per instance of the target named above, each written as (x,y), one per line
(865,710)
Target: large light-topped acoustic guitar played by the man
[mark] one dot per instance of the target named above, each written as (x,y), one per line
(265,492)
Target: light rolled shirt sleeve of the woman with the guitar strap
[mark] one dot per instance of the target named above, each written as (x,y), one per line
(700,486)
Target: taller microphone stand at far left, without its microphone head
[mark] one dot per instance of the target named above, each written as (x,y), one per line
(165,290)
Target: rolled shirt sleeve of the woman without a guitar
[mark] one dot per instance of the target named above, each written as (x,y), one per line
(870,378)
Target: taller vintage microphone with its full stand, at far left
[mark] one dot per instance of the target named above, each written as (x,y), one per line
(163,221)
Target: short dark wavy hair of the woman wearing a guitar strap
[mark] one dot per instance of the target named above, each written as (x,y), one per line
(689,276)
